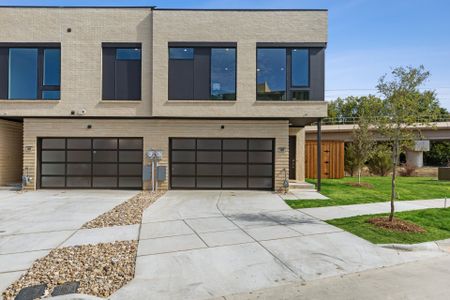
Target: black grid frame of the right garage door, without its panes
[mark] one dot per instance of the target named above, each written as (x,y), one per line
(248,164)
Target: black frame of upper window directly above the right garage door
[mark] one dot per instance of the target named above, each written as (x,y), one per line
(204,45)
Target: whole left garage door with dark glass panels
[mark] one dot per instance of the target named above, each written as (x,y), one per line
(108,163)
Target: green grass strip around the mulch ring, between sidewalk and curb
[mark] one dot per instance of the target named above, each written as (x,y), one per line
(435,221)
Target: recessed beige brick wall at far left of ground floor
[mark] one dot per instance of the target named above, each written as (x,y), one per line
(10,152)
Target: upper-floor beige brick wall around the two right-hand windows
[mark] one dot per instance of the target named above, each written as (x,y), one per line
(246,28)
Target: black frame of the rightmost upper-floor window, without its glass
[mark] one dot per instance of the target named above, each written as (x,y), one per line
(290,89)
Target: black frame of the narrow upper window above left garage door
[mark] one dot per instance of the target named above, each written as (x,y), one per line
(116,46)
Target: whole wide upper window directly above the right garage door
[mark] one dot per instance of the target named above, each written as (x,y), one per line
(202,73)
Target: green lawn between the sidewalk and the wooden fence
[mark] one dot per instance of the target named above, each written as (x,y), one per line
(408,188)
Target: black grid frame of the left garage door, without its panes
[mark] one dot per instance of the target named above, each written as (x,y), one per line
(92,162)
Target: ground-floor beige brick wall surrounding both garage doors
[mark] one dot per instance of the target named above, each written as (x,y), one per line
(156,135)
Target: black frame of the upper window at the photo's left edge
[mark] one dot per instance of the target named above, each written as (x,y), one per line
(41,87)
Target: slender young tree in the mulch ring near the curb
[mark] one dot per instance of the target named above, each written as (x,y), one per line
(405,109)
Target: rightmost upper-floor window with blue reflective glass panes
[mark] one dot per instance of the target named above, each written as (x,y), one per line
(282,74)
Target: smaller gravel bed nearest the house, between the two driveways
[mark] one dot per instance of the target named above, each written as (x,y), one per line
(127,213)
